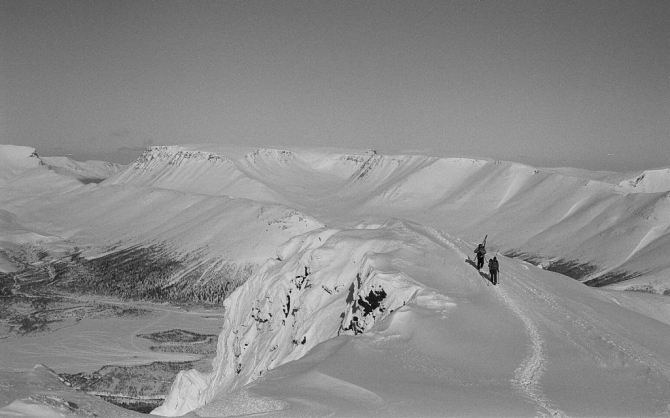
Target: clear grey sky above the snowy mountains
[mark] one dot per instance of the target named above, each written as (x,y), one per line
(548,83)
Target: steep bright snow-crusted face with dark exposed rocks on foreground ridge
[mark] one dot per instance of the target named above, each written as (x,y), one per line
(326,282)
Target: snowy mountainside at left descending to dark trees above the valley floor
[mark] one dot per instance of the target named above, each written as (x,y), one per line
(211,242)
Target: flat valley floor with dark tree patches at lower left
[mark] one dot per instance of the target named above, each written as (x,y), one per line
(126,352)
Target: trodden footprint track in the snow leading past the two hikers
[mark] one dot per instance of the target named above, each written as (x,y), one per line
(527,376)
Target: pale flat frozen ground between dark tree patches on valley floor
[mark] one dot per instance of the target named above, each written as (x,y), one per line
(85,346)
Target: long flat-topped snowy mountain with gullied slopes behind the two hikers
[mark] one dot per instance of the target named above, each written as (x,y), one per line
(559,217)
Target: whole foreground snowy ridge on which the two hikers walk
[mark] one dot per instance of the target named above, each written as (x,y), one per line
(442,342)
